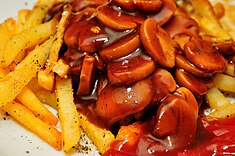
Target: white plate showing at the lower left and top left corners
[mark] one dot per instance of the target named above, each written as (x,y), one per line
(15,140)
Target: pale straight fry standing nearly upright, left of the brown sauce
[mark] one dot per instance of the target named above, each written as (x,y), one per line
(68,114)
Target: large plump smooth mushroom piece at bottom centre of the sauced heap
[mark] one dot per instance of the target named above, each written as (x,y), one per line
(115,102)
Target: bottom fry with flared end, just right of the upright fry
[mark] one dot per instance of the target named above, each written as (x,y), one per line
(99,136)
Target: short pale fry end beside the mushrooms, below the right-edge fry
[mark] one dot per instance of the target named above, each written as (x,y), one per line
(216,99)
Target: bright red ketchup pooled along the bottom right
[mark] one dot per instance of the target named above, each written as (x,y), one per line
(215,137)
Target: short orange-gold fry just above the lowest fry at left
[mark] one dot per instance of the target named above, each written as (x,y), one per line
(30,100)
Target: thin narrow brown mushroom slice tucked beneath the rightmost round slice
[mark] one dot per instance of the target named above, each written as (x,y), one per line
(191,82)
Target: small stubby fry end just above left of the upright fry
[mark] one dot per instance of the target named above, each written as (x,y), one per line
(46,80)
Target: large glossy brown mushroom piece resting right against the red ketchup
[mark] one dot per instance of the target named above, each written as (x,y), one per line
(176,122)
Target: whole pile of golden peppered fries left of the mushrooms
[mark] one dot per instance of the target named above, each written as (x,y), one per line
(29,50)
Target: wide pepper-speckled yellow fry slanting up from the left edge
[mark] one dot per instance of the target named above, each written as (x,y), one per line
(15,81)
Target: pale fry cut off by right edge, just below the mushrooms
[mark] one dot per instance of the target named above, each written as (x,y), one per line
(225,82)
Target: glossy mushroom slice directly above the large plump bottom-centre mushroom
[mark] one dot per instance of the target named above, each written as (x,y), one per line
(130,70)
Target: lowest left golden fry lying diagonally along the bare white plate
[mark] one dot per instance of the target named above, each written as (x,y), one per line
(34,124)
